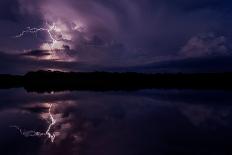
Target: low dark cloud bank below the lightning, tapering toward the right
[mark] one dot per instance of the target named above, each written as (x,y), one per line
(18,64)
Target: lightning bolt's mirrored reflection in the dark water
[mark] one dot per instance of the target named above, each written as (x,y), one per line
(32,133)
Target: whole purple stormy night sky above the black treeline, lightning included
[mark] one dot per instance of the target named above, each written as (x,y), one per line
(116,35)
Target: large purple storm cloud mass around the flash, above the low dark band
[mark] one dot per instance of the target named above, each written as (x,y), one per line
(120,33)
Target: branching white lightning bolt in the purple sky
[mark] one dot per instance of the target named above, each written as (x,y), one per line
(48,30)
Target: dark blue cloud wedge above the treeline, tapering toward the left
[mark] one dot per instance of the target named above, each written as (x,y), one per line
(211,64)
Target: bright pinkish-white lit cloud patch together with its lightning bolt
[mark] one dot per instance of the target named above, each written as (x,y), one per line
(59,35)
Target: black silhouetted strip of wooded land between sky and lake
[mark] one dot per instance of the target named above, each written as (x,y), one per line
(48,81)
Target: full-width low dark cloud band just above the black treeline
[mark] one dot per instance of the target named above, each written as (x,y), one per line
(19,64)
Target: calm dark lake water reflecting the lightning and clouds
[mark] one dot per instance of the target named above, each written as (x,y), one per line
(148,122)
